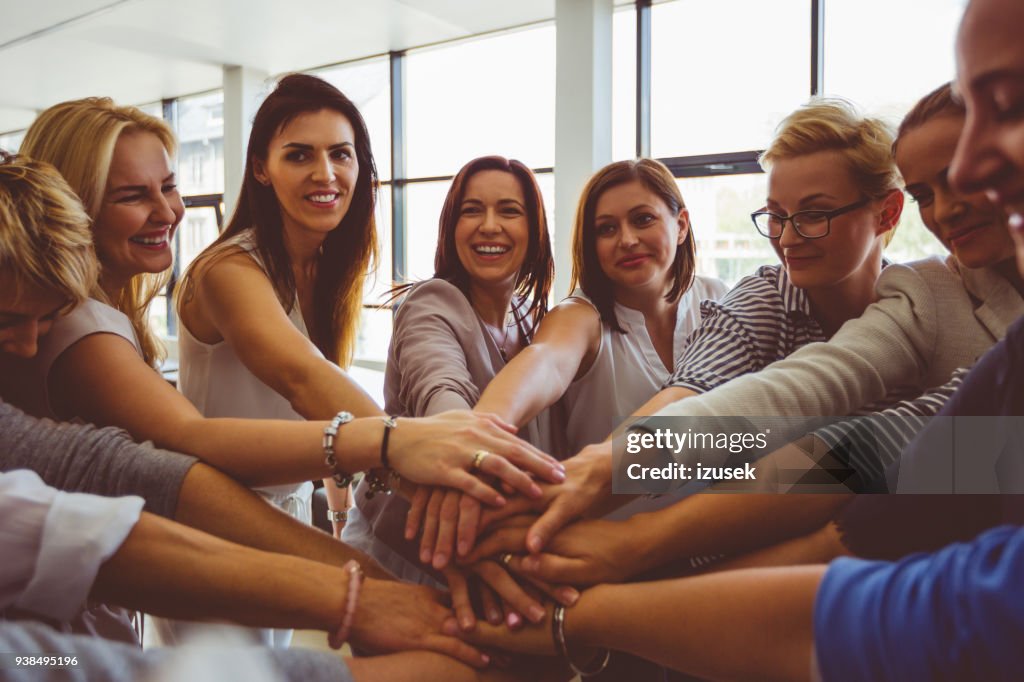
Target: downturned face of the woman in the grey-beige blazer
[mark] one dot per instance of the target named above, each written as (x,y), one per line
(970,226)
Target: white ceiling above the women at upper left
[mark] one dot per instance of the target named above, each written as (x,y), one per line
(139,52)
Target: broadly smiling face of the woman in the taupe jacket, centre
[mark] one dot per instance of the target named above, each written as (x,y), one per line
(492,236)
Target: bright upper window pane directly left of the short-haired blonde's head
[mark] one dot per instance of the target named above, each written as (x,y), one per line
(716,92)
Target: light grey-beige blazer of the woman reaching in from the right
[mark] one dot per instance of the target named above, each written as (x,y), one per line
(932,318)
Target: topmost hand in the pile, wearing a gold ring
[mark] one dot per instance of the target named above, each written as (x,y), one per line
(445,451)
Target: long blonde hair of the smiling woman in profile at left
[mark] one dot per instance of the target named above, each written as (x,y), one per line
(78,138)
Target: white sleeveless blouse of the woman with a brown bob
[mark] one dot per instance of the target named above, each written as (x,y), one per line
(628,371)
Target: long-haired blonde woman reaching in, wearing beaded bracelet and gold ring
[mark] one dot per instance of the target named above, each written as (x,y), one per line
(91,365)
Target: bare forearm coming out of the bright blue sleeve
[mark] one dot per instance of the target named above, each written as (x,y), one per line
(753,625)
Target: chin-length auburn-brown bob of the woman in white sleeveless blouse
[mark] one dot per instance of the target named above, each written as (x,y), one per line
(587,273)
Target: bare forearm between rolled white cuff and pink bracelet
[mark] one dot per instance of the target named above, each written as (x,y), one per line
(202,577)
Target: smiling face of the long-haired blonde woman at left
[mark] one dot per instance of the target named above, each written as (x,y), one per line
(141,209)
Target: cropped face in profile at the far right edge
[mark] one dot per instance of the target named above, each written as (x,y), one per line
(991,78)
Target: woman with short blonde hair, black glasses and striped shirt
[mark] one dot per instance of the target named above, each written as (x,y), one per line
(834,203)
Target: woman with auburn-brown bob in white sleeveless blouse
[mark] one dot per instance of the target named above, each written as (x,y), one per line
(613,344)
